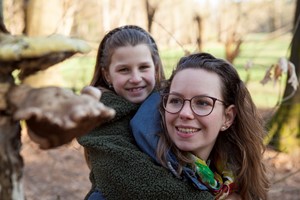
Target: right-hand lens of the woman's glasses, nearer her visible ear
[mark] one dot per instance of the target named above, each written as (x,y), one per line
(202,105)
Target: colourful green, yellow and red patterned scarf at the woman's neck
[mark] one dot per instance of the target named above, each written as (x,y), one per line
(221,185)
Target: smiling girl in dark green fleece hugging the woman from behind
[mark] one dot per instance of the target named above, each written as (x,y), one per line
(127,69)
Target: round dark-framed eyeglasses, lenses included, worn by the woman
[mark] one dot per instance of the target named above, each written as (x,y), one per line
(200,105)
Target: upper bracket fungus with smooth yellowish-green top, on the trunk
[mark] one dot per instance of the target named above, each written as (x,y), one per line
(32,54)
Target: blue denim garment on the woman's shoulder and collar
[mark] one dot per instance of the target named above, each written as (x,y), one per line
(145,125)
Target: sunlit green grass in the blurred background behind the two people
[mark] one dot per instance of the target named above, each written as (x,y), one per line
(257,48)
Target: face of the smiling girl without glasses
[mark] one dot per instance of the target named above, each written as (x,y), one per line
(132,72)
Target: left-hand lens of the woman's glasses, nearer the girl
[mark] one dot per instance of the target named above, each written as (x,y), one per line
(172,103)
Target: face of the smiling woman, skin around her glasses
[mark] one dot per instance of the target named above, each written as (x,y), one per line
(190,132)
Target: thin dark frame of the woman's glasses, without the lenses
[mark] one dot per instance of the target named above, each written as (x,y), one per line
(190,101)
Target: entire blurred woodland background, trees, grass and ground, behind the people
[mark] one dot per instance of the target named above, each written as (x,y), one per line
(252,34)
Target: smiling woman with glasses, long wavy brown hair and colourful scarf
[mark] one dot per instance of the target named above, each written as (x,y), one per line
(210,127)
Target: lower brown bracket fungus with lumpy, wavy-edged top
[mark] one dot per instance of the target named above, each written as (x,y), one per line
(55,116)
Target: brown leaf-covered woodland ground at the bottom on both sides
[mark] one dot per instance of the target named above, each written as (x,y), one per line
(62,174)
